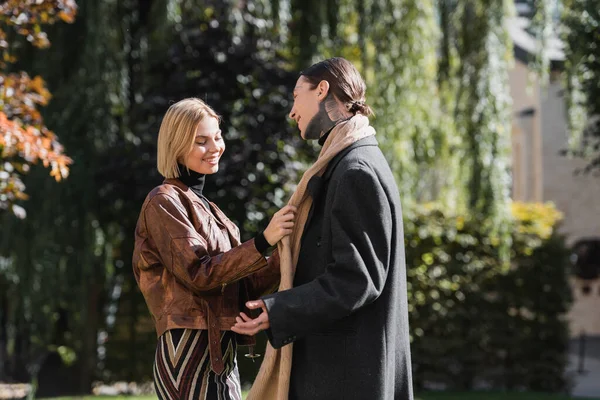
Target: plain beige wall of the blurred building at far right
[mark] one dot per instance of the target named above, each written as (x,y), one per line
(541,173)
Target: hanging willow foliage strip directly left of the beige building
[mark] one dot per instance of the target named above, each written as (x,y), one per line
(479,55)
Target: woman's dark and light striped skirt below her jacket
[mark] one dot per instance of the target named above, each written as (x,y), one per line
(182,367)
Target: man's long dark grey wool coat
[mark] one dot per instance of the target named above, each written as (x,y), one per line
(347,313)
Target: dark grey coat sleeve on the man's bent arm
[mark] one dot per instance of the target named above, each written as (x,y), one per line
(361,232)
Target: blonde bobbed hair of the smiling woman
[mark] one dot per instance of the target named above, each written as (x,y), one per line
(178,132)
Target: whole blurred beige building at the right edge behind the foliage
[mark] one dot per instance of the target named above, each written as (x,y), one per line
(541,173)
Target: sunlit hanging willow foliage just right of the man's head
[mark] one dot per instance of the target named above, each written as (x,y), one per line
(402,79)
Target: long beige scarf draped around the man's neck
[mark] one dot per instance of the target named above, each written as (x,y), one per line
(273,379)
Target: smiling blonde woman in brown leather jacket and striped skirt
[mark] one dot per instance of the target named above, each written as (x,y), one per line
(190,265)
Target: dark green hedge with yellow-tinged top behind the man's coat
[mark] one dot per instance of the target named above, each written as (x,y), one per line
(473,320)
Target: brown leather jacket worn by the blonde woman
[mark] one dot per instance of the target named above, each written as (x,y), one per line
(191,267)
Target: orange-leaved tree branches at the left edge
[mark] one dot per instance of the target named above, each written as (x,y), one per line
(24,139)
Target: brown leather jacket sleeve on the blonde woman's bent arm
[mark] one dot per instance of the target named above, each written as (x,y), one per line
(184,252)
